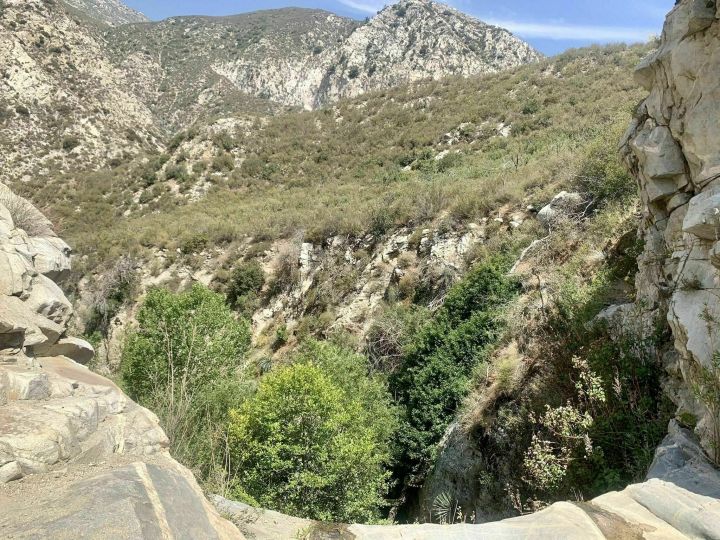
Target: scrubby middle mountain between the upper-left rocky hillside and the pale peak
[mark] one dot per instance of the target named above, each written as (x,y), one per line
(191,68)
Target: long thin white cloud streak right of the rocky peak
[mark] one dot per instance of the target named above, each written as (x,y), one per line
(573,32)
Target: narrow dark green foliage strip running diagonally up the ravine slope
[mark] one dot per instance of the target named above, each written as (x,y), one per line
(436,369)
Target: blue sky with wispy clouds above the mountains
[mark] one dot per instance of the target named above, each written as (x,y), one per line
(551,26)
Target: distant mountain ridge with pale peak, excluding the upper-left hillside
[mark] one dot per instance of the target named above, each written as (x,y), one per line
(309,58)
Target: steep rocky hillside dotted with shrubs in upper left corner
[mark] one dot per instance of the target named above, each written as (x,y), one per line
(63,105)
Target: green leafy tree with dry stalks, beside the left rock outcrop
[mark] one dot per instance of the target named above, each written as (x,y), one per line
(184,362)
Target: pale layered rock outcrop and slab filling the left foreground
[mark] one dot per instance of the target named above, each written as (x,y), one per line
(71,443)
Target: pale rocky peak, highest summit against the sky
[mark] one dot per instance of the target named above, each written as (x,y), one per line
(420,39)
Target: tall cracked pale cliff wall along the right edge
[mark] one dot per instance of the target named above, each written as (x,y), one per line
(672,147)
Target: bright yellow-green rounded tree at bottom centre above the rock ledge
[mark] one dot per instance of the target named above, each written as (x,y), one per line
(313,440)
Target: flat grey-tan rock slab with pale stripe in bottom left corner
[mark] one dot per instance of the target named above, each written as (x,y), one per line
(138,501)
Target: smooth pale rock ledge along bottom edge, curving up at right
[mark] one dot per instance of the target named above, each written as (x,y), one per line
(680,500)
